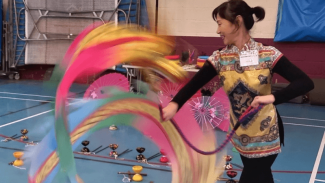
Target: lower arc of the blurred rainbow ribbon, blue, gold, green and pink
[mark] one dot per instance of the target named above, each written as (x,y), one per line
(141,113)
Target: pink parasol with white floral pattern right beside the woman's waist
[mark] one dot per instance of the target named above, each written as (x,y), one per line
(211,112)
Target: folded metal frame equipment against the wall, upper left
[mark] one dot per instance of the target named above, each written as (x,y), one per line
(15,40)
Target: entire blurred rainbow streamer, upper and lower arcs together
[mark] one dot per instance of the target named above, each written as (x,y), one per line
(94,51)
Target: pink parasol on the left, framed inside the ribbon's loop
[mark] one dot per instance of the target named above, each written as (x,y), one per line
(97,89)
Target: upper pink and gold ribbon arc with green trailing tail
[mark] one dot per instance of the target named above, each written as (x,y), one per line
(102,48)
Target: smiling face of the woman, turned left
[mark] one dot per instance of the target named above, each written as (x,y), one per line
(226,30)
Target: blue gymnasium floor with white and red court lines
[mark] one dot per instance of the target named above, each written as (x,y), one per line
(25,104)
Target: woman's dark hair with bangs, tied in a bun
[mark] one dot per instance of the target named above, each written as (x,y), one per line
(231,9)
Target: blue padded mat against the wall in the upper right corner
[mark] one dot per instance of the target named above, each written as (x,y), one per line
(302,20)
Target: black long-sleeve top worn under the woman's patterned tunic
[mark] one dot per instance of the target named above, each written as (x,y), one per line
(299,85)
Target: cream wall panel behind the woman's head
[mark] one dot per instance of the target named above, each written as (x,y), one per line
(193,17)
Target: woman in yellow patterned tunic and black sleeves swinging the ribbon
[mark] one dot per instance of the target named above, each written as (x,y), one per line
(246,78)
